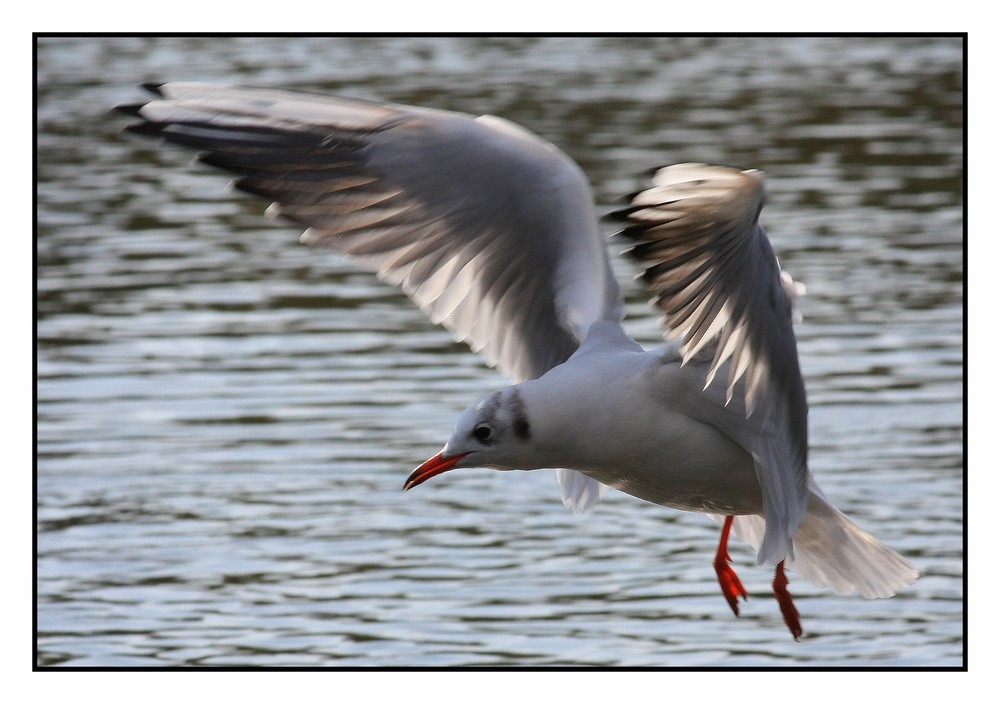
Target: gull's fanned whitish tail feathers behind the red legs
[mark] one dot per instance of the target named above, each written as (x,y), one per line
(832,551)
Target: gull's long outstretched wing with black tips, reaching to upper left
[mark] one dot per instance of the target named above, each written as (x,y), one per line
(488,228)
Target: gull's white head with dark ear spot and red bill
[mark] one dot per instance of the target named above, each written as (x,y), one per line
(494,432)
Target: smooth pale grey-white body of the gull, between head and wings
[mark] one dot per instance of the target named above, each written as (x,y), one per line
(628,422)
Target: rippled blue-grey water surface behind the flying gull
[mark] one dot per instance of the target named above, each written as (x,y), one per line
(225,418)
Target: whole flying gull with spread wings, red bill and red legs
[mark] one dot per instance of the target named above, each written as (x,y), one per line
(492,232)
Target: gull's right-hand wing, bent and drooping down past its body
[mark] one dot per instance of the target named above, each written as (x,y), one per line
(714,275)
